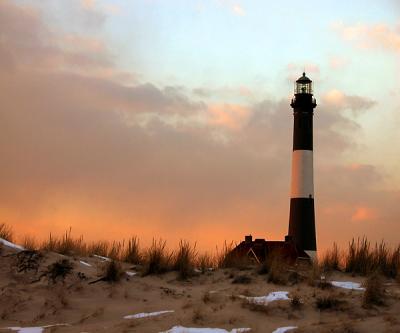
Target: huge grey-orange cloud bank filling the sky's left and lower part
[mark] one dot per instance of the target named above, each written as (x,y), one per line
(112,158)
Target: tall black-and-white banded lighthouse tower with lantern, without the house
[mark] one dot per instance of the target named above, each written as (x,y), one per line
(302,216)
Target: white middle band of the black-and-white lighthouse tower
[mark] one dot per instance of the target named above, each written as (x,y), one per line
(302,174)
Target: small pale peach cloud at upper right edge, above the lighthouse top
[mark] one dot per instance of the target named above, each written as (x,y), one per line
(371,36)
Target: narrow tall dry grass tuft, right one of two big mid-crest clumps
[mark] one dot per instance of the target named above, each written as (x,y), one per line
(184,260)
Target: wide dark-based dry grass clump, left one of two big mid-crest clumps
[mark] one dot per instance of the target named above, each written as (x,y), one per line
(157,260)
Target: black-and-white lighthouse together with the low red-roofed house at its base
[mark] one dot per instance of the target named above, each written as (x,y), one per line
(300,241)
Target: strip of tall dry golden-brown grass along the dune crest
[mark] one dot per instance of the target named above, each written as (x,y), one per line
(360,257)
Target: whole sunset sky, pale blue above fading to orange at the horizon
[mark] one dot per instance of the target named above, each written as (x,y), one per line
(172,118)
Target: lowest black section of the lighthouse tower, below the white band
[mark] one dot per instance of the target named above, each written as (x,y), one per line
(302,223)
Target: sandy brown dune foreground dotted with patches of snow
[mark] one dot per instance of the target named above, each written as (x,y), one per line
(206,303)
